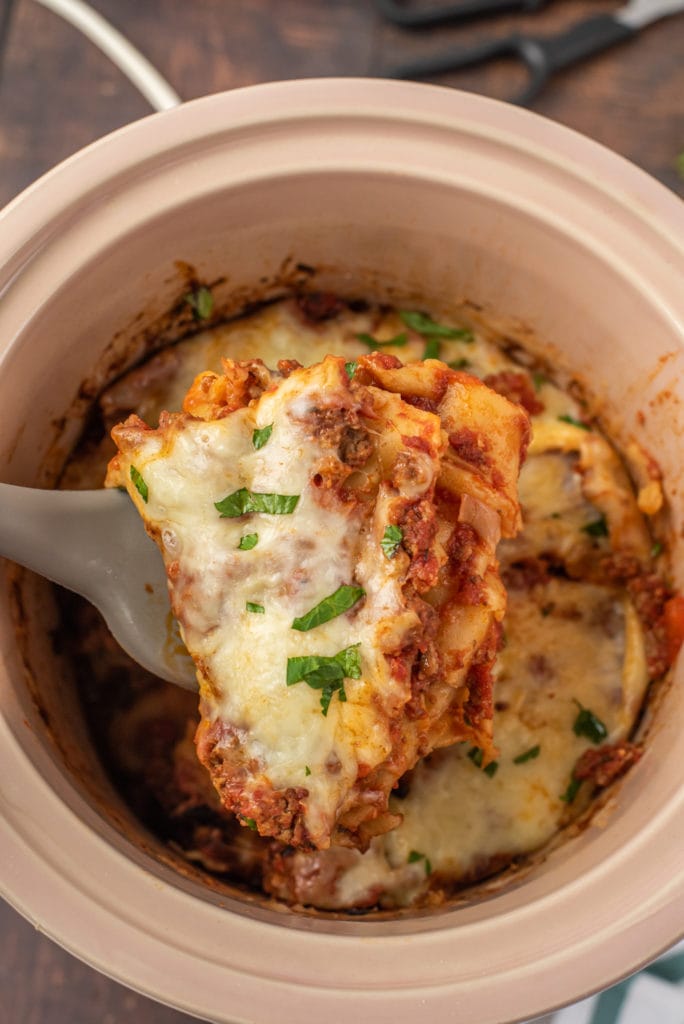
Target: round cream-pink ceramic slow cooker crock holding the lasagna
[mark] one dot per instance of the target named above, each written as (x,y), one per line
(402,190)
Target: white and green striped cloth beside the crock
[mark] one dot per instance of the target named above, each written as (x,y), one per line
(655,996)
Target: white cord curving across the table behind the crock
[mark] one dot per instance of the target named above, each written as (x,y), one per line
(138,69)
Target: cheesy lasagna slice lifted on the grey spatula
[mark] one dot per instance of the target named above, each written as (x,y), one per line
(330,541)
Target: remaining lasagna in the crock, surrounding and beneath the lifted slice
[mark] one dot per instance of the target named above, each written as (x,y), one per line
(591,627)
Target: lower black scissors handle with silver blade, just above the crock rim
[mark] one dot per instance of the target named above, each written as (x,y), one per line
(544,56)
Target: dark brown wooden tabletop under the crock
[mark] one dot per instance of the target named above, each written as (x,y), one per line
(58,94)
